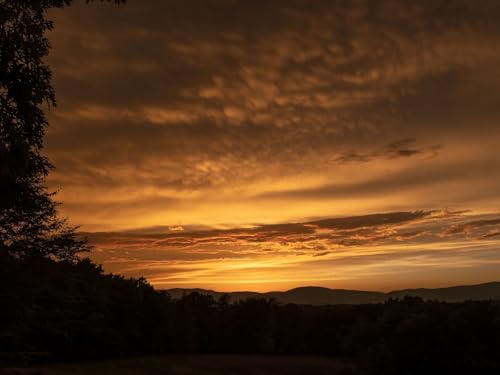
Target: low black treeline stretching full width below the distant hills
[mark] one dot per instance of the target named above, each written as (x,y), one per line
(67,311)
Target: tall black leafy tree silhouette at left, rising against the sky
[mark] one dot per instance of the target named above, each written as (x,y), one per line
(29,225)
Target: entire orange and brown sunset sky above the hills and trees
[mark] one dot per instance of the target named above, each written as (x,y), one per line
(265,145)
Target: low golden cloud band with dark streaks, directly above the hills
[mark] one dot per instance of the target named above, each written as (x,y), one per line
(380,251)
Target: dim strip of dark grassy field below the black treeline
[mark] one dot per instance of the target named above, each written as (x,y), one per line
(196,365)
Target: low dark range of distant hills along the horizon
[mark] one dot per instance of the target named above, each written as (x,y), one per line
(324,296)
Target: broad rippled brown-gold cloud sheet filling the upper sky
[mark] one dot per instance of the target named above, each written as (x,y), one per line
(238,112)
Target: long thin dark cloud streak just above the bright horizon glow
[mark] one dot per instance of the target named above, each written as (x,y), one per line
(340,229)
